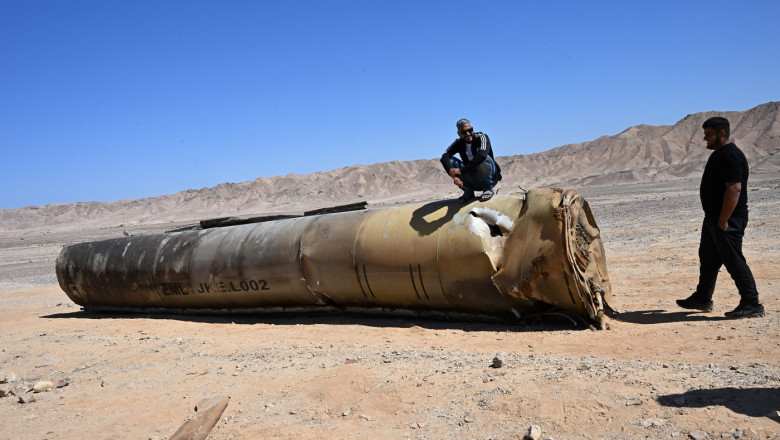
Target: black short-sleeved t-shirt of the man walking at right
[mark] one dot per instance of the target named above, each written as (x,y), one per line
(727,164)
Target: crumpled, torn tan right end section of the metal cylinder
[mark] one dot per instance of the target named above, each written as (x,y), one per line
(554,254)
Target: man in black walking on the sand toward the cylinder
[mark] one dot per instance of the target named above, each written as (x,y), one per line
(723,193)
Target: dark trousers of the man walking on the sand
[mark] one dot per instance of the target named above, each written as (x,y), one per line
(724,248)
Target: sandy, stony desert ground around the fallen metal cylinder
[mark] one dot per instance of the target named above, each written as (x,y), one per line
(658,372)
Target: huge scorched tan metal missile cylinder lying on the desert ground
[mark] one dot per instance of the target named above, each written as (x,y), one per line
(513,255)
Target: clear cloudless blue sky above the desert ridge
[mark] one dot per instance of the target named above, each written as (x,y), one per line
(104,100)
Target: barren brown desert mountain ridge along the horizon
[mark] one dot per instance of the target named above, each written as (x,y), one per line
(640,154)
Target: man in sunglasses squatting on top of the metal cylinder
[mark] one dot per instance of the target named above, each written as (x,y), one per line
(476,170)
